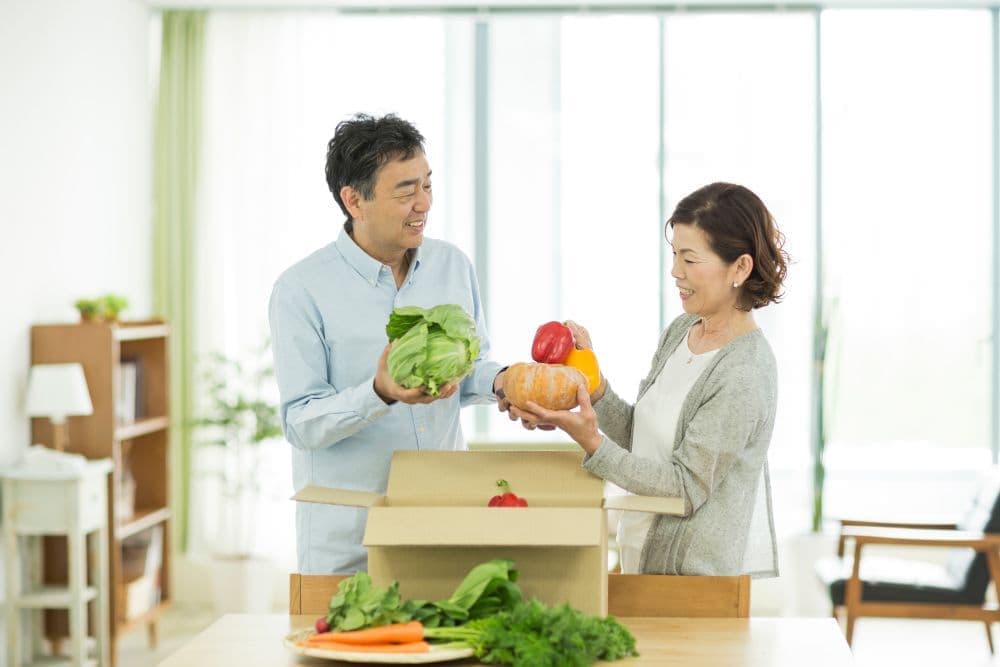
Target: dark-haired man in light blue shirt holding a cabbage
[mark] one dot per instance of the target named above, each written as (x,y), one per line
(341,410)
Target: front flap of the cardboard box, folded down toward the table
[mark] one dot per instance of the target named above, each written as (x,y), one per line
(485,526)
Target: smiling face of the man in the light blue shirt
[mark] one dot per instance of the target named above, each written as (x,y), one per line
(393,220)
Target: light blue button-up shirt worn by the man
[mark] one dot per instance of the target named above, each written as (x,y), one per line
(328,314)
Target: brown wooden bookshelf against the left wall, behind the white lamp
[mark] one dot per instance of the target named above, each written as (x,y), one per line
(134,434)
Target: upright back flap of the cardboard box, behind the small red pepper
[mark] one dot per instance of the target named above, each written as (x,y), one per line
(448,479)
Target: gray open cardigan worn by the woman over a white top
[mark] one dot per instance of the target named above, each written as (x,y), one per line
(719,455)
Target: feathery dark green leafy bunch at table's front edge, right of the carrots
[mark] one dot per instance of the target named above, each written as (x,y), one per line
(531,634)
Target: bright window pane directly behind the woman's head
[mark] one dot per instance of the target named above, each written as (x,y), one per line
(740,107)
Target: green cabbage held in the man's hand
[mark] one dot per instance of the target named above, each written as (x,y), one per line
(431,346)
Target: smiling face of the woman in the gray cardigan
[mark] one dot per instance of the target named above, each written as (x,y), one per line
(705,281)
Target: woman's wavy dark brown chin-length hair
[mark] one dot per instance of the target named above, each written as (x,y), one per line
(737,223)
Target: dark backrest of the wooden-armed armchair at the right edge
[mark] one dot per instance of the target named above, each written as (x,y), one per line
(967,565)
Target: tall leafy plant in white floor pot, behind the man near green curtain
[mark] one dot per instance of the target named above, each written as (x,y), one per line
(237,418)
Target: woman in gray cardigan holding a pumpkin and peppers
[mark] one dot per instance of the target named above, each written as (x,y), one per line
(703,419)
